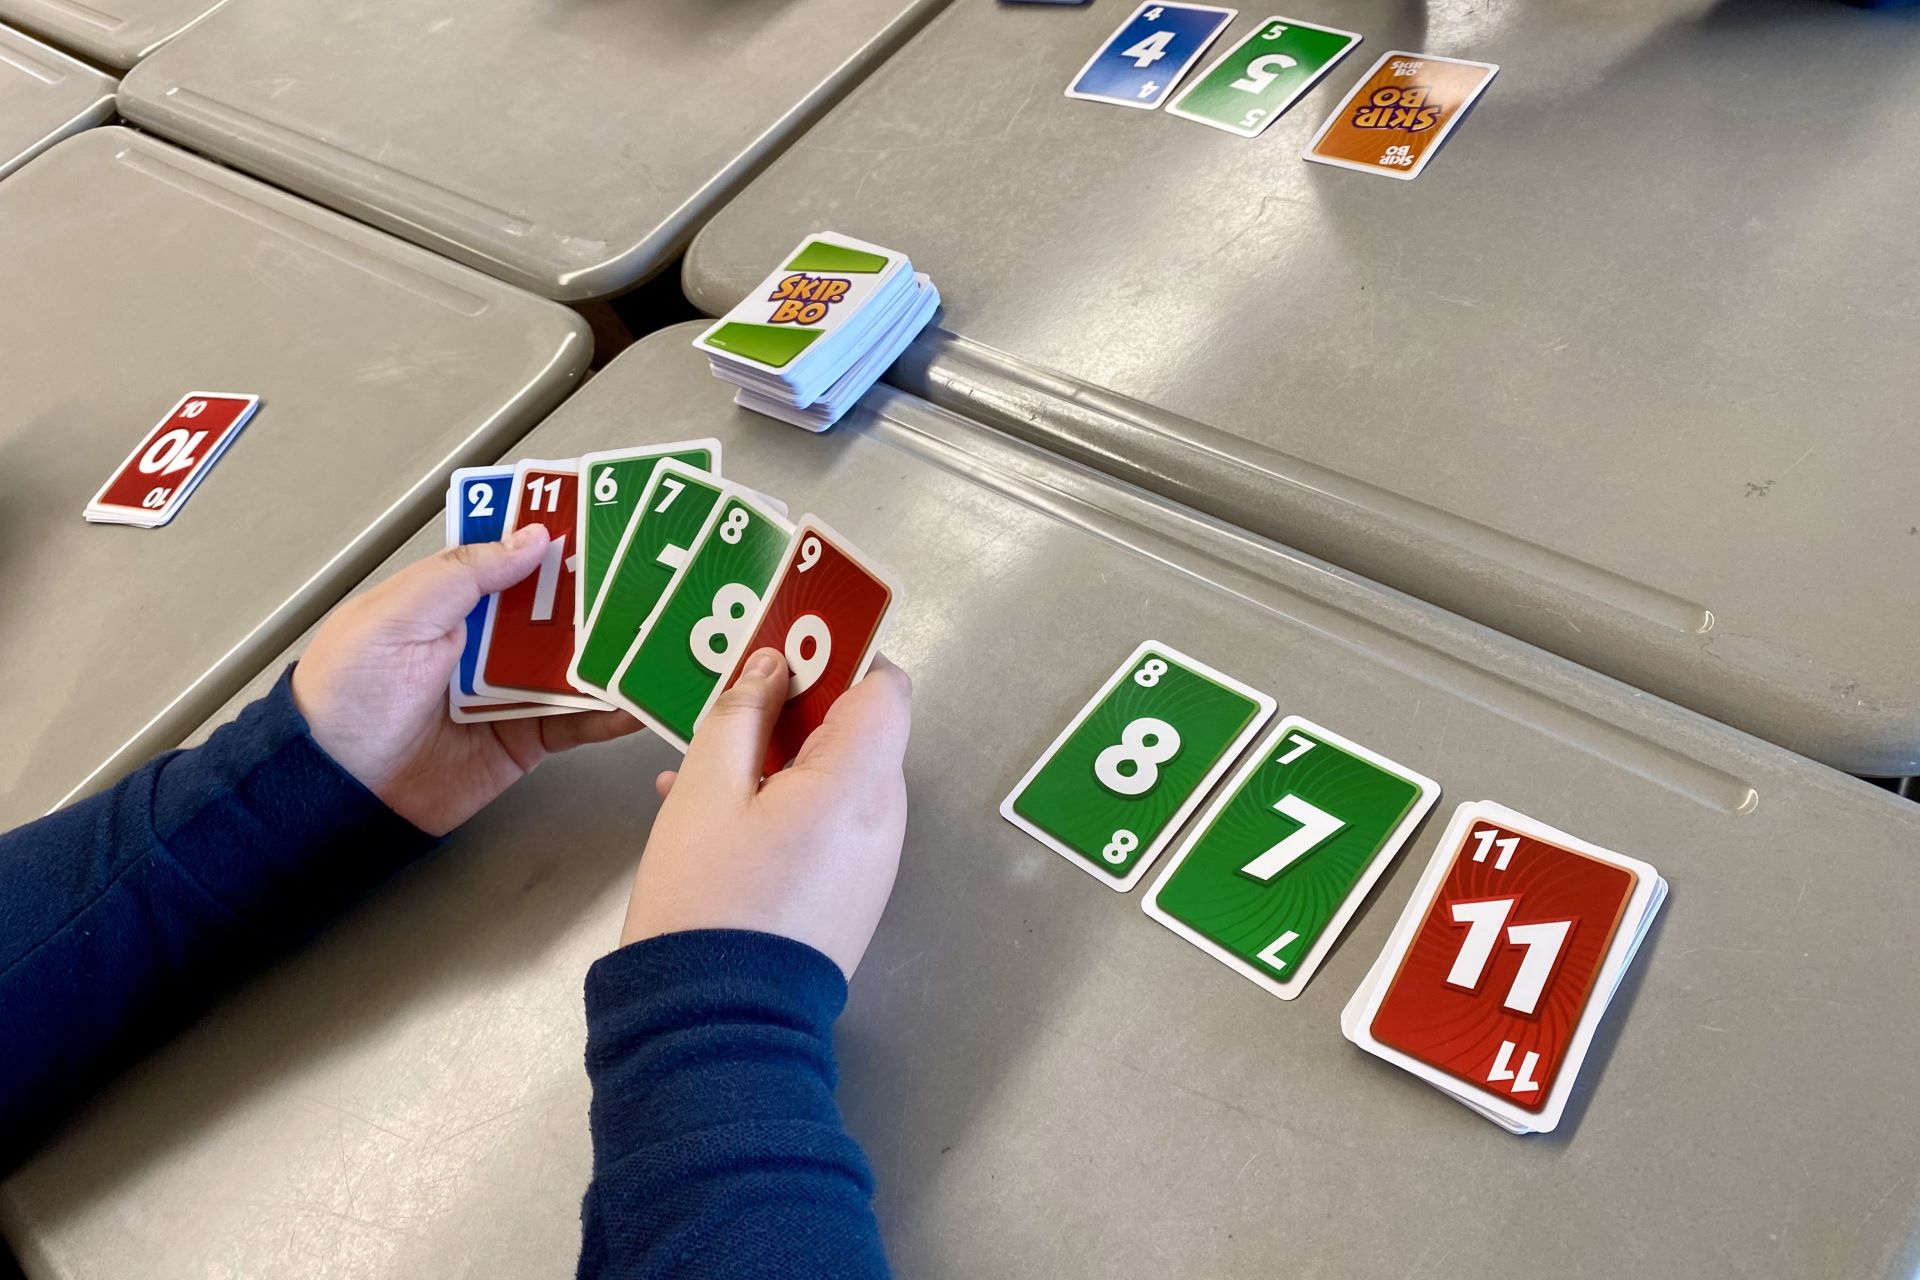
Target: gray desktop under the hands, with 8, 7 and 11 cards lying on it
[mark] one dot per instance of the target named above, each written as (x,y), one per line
(1047,1081)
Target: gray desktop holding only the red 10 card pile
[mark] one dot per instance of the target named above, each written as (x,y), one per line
(135,273)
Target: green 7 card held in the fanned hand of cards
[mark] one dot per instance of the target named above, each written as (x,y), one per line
(667,521)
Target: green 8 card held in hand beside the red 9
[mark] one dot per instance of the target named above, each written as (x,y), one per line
(709,607)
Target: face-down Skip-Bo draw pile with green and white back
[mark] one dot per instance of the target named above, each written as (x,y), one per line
(821,329)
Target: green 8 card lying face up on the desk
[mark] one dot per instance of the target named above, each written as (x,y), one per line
(1134,765)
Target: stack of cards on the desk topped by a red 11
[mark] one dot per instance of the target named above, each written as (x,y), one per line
(1504,962)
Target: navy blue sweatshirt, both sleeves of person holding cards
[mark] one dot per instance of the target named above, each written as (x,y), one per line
(717,1143)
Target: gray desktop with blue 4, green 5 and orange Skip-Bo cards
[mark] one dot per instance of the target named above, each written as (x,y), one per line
(1627,373)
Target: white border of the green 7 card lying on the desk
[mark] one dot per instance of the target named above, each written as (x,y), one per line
(1397,840)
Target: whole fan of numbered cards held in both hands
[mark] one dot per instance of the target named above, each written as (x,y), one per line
(660,579)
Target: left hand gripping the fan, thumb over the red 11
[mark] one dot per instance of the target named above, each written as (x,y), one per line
(373,688)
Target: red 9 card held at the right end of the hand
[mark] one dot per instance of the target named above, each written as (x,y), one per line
(827,607)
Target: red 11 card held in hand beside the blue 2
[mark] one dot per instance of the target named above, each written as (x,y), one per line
(529,638)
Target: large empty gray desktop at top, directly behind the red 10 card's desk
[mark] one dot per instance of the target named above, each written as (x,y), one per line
(567,149)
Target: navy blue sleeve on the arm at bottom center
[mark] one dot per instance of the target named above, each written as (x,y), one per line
(717,1143)
